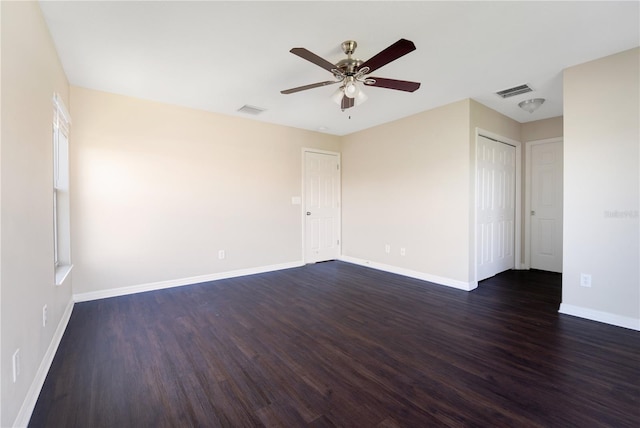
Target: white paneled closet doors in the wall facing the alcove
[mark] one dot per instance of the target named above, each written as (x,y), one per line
(495,207)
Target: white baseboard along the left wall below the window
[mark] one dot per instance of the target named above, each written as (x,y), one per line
(29,403)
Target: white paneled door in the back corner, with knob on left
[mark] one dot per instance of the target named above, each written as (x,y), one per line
(322,206)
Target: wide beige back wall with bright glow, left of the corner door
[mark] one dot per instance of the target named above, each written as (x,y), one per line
(158,190)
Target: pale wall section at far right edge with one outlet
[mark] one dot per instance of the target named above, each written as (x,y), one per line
(602,185)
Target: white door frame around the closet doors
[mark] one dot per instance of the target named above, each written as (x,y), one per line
(518,201)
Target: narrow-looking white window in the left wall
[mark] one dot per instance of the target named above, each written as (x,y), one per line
(61,217)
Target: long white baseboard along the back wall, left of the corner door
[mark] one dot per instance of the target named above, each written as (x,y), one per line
(115,292)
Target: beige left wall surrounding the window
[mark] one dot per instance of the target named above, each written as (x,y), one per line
(31,73)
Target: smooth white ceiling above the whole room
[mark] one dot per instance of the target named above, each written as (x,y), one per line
(218,56)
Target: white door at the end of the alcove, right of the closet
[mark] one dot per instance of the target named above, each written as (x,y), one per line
(546,206)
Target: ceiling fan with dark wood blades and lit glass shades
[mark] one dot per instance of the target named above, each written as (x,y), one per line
(351,71)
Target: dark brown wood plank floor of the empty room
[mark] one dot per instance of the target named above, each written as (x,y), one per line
(335,344)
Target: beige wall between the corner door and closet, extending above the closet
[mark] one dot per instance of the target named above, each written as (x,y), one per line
(410,184)
